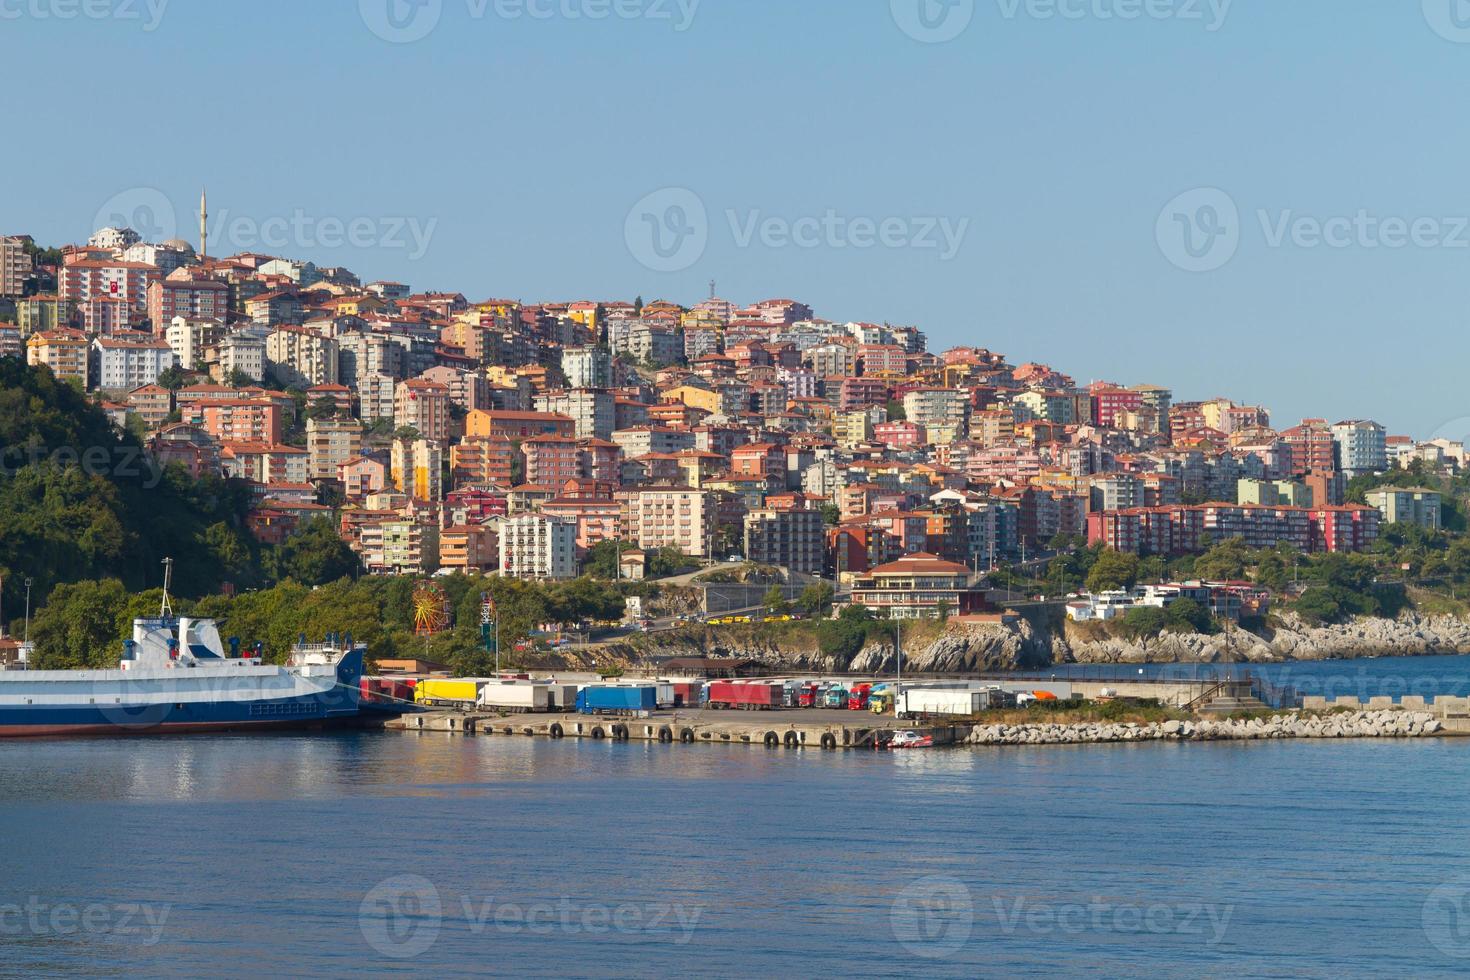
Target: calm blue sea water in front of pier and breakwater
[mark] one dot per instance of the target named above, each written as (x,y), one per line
(439,856)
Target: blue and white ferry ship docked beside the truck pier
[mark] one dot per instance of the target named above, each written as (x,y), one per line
(176,677)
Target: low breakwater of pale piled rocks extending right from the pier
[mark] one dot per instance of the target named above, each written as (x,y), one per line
(1359,725)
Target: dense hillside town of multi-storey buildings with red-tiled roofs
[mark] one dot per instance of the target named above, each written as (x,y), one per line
(446,433)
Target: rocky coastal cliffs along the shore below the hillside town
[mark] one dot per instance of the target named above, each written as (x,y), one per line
(962,647)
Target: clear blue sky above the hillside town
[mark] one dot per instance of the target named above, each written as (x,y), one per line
(1047,137)
